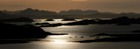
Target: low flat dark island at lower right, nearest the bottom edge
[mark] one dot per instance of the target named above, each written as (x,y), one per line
(133,37)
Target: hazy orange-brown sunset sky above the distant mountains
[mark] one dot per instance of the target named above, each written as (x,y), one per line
(58,5)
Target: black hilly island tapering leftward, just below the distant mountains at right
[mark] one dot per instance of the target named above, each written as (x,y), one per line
(124,20)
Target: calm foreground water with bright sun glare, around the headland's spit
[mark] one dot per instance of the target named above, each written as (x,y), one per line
(75,34)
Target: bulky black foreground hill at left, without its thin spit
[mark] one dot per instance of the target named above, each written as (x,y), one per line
(8,31)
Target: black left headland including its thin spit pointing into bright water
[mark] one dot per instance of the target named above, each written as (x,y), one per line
(10,33)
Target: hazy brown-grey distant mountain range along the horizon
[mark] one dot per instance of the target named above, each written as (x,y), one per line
(73,13)
